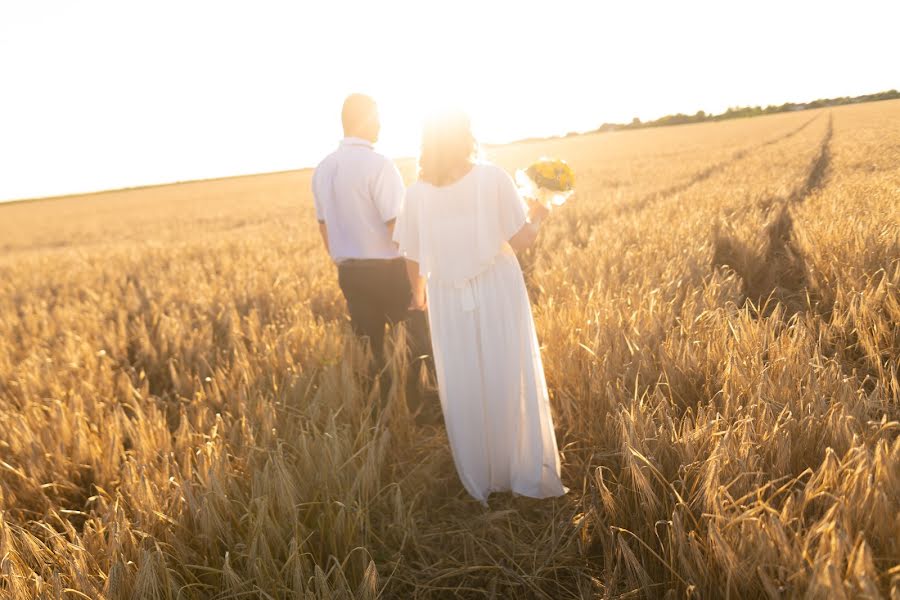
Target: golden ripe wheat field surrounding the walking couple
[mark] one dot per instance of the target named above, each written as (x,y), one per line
(182,413)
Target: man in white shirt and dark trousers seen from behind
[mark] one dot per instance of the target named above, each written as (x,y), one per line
(358,195)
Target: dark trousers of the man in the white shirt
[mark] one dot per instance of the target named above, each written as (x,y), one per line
(378,294)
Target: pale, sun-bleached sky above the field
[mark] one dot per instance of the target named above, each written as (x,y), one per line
(105,94)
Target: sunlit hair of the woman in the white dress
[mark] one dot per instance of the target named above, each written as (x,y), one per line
(447,145)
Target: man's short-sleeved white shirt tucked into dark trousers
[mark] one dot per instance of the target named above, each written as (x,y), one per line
(357,191)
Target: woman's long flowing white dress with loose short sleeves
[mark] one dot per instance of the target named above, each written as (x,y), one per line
(489,373)
